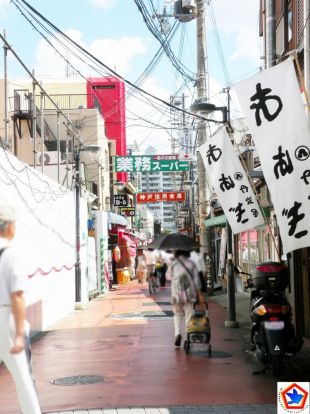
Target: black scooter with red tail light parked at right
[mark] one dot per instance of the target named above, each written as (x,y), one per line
(272,332)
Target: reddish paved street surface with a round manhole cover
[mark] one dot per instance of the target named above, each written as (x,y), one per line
(123,343)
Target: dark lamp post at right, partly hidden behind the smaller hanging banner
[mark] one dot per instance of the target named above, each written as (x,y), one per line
(207,108)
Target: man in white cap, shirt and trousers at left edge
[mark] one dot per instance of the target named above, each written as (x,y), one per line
(14,330)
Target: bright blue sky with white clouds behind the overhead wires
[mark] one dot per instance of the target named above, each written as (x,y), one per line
(115,33)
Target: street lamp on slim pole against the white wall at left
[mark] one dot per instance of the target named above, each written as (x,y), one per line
(92,149)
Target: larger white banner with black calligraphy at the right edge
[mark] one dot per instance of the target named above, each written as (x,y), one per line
(275,114)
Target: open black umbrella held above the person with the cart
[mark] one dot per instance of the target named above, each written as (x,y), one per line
(174,241)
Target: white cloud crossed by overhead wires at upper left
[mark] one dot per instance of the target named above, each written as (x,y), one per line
(115,53)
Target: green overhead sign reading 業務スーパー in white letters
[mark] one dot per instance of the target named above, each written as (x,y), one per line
(149,163)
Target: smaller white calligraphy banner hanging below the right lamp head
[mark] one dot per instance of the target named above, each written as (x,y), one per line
(230,183)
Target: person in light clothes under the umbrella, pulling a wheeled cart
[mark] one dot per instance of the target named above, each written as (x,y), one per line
(185,291)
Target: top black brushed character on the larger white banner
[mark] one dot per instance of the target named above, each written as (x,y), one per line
(261,95)
